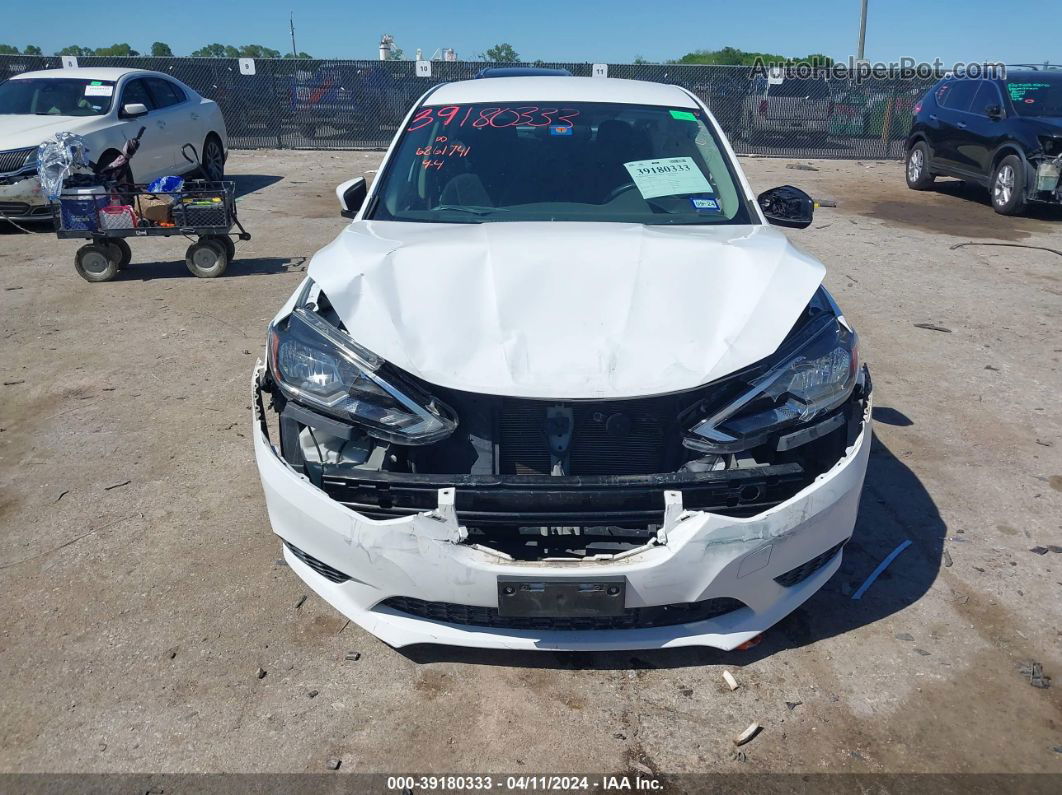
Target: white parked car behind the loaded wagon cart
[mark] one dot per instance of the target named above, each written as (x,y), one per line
(106,107)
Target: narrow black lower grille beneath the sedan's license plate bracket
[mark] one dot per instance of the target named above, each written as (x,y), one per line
(633,618)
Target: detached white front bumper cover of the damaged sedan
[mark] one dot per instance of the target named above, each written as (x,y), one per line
(426,558)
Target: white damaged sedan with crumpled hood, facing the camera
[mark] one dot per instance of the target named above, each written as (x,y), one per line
(561,385)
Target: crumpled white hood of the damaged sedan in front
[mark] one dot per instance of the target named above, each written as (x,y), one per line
(567,310)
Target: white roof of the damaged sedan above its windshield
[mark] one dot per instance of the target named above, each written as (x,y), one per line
(560,90)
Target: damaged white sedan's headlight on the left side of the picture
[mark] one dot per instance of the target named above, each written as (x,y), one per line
(317,365)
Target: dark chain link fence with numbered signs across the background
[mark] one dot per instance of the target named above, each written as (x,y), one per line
(359,105)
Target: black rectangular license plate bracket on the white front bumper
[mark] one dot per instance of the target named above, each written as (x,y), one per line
(584,598)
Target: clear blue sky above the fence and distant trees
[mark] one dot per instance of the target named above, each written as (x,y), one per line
(613,31)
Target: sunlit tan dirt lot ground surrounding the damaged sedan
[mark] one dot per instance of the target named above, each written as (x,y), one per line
(142,589)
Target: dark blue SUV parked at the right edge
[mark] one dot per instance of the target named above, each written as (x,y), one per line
(1005,134)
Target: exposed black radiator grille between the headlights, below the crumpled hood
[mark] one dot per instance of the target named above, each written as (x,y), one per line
(608,438)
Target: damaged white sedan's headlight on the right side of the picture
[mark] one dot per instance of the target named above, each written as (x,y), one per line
(817,376)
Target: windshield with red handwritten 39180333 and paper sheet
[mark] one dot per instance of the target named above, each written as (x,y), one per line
(560,162)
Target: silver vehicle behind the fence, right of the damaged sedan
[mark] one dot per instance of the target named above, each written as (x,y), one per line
(794,107)
